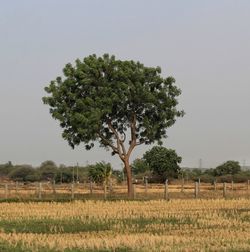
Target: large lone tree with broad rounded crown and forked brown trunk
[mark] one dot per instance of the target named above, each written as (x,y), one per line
(102,99)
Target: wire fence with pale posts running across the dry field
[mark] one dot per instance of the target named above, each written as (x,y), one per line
(178,190)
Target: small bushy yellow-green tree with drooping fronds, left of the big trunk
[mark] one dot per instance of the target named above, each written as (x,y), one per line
(100,172)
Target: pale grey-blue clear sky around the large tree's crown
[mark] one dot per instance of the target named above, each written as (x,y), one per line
(205,45)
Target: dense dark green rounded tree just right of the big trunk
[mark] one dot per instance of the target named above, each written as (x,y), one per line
(163,162)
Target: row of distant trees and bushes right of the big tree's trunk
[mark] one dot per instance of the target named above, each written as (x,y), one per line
(160,164)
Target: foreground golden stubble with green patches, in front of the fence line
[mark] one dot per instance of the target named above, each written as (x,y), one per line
(153,225)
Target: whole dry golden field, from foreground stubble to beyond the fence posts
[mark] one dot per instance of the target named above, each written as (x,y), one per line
(46,218)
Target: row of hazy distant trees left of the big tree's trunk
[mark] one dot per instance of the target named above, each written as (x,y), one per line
(49,171)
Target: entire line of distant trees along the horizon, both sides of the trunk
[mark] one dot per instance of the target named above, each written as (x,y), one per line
(157,165)
